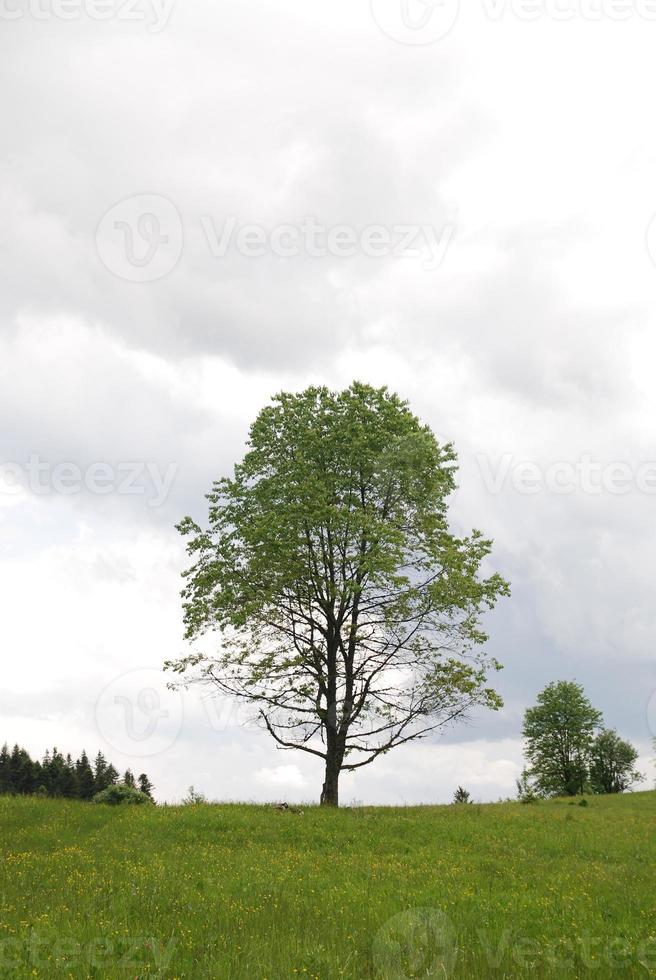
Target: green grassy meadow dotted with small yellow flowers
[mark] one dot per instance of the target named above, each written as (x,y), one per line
(250,892)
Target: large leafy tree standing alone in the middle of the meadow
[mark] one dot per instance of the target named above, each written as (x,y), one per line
(348,613)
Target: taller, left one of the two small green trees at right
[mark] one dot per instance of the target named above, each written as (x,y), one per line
(559,731)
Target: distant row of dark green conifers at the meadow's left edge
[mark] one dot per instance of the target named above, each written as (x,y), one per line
(59,775)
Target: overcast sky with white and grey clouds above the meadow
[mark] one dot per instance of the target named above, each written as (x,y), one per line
(205,203)
